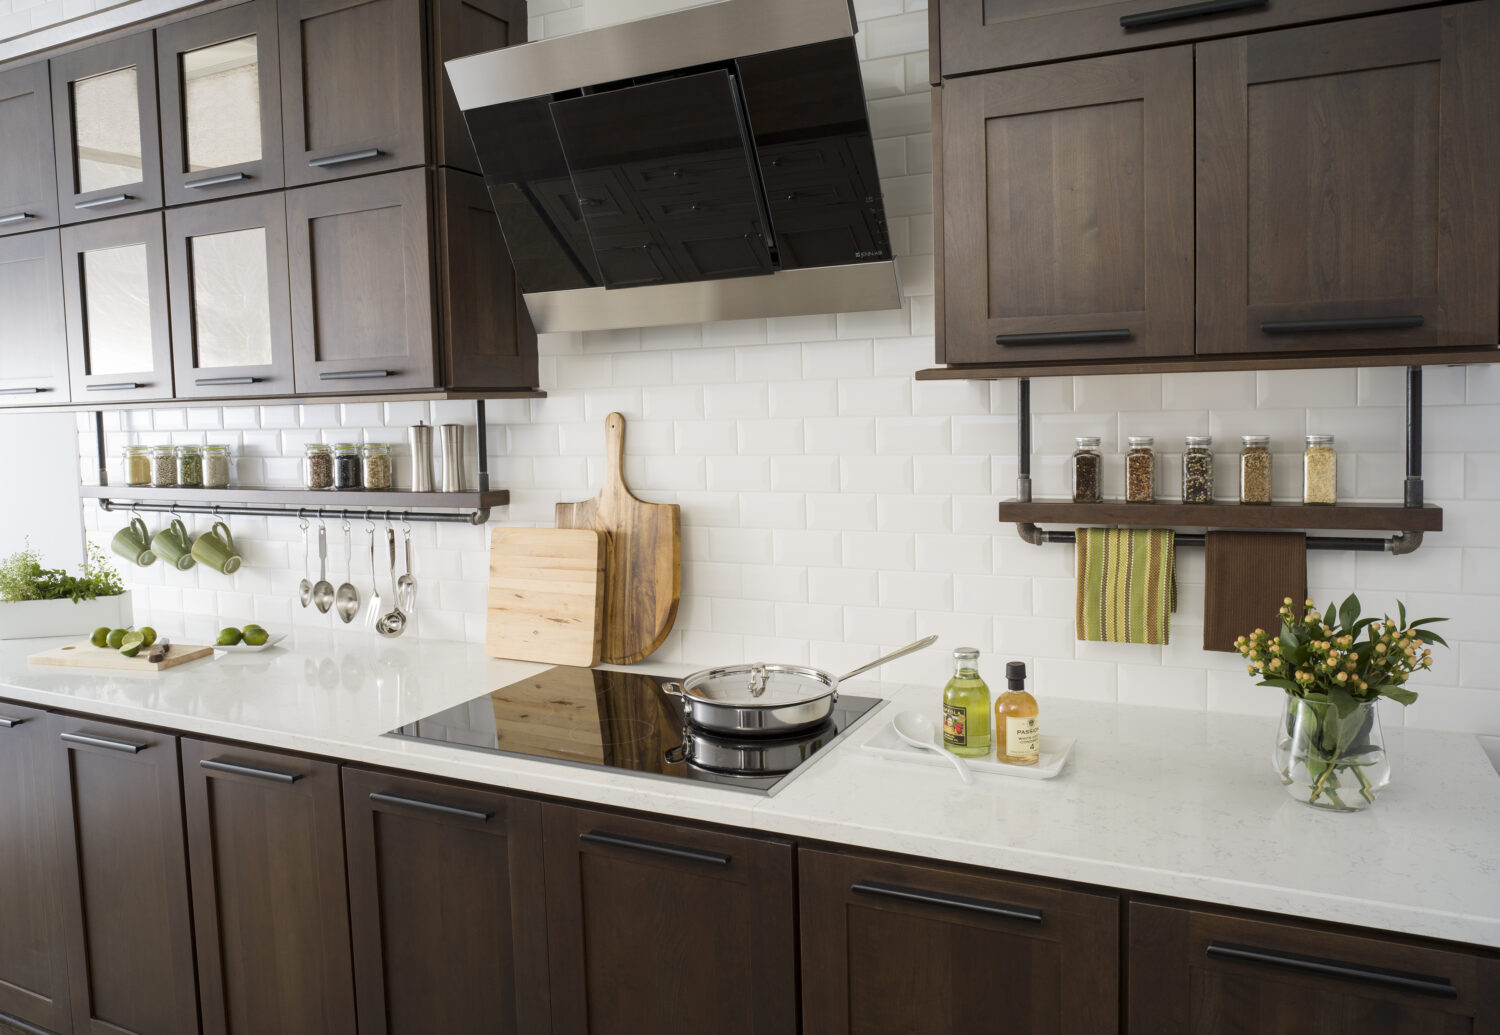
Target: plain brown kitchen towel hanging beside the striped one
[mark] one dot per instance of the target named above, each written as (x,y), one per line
(1249,577)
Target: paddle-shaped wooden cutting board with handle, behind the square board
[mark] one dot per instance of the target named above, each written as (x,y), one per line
(643,557)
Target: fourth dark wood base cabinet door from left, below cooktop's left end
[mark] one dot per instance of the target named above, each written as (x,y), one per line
(446,908)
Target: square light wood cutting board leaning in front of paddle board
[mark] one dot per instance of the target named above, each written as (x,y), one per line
(547,596)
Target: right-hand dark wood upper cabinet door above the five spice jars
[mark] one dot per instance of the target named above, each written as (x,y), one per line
(1348,185)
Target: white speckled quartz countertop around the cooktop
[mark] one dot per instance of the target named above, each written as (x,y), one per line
(1153,800)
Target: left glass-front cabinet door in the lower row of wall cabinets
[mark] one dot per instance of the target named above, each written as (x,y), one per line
(115,286)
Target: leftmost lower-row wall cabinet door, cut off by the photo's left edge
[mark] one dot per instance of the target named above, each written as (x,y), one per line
(34,343)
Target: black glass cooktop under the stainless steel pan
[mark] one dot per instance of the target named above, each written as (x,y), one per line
(625,721)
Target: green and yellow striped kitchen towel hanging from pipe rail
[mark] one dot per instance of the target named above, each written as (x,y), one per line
(1127,584)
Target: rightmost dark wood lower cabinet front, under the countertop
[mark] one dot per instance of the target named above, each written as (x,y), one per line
(1199,971)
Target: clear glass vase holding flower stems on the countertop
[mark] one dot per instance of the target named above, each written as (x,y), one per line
(1331,761)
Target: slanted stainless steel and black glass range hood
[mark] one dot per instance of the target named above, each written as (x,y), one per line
(704,164)
